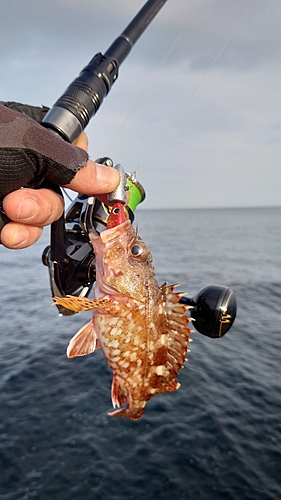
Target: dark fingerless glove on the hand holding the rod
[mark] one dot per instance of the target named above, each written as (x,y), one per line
(30,155)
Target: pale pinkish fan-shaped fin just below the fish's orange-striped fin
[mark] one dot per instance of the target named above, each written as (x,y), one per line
(84,342)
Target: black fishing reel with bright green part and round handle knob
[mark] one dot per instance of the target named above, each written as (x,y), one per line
(71,260)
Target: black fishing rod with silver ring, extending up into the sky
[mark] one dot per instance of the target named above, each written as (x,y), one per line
(82,99)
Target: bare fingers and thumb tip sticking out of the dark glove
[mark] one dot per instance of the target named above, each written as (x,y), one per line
(32,209)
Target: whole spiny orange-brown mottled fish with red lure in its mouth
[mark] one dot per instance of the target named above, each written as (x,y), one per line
(141,327)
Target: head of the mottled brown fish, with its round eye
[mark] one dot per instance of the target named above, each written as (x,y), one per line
(123,262)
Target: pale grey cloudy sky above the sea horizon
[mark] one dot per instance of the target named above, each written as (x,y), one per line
(196,106)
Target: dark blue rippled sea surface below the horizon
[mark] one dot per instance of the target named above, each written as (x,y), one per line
(217,437)
